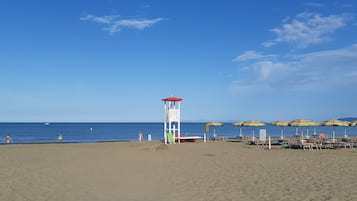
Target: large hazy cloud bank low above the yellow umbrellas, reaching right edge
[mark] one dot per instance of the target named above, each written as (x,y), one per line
(313,71)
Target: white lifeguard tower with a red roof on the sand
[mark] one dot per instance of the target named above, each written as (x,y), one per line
(172,119)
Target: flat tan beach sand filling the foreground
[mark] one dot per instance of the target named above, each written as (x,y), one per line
(189,171)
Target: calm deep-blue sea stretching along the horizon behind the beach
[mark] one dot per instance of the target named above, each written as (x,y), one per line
(106,132)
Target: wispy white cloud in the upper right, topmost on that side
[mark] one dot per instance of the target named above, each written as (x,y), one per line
(307,29)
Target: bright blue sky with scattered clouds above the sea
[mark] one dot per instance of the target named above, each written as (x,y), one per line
(113,60)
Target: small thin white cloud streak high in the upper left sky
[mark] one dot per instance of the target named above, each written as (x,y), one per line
(115,25)
